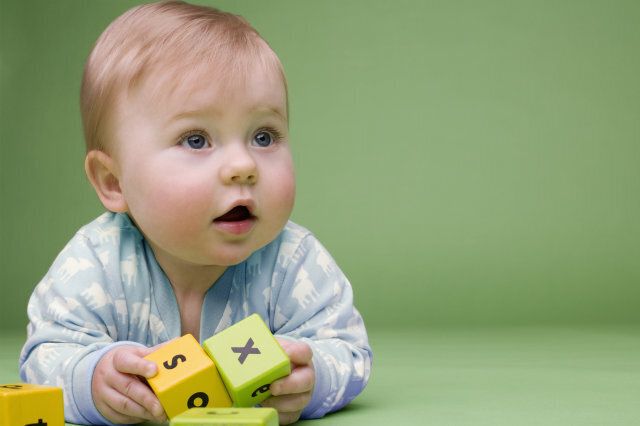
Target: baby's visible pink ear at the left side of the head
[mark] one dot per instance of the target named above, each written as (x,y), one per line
(102,174)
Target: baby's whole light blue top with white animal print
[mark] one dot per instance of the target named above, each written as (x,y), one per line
(106,289)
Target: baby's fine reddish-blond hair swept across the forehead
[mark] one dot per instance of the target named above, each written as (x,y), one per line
(169,40)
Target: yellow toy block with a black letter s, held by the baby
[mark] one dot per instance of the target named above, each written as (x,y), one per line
(186,378)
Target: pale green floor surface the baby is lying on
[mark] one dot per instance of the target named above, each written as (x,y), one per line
(515,376)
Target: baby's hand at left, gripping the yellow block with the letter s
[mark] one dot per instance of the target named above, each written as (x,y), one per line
(119,393)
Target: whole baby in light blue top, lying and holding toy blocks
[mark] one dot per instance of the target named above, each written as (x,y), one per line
(185,116)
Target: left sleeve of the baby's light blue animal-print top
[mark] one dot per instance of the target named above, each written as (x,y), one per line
(71,323)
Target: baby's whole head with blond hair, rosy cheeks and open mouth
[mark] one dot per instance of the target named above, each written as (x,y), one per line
(186,123)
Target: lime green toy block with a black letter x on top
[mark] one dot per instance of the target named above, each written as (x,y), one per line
(249,359)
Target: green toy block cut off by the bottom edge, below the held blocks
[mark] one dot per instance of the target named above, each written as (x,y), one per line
(227,417)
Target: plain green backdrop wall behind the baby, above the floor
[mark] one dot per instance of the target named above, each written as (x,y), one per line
(466,163)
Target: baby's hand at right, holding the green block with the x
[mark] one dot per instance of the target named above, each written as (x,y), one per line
(292,393)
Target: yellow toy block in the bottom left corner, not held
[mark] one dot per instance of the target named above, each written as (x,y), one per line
(31,405)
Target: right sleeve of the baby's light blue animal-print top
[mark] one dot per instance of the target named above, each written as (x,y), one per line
(315,305)
